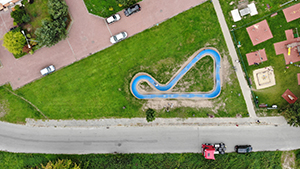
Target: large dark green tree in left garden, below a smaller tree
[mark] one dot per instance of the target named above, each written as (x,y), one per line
(51,32)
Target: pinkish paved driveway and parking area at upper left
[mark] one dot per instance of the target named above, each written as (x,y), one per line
(88,34)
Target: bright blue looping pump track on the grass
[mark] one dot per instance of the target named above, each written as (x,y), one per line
(212,94)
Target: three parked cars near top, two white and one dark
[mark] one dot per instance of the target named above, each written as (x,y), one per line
(114,18)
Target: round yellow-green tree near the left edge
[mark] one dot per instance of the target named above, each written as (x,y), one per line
(14,41)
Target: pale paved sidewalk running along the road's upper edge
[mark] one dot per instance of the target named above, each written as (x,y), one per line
(275,121)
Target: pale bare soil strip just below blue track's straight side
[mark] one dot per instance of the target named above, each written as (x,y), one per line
(158,104)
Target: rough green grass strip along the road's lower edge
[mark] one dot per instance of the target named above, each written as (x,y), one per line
(187,160)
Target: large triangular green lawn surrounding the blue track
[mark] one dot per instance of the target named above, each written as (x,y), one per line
(98,86)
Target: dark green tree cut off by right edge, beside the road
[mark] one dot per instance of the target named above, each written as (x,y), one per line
(292,115)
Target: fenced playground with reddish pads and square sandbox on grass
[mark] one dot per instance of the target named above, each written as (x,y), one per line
(269,47)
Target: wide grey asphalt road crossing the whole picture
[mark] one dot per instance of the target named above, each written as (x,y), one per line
(19,138)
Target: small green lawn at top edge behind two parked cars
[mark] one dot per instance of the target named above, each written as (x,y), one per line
(107,7)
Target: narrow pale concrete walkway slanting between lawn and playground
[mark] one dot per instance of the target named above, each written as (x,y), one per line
(239,72)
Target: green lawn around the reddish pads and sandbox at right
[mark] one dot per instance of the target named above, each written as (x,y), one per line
(285,78)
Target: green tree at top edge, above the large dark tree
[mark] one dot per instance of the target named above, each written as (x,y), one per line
(57,9)
